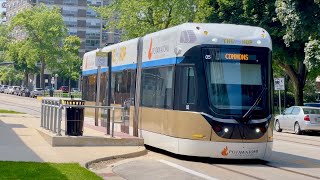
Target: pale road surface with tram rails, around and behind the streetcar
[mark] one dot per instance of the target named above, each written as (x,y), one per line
(294,157)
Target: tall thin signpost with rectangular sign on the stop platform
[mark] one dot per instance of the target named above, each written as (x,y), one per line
(101,61)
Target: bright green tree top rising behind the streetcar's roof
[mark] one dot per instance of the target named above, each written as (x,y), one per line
(137,18)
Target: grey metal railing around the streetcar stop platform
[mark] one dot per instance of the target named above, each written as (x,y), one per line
(52,110)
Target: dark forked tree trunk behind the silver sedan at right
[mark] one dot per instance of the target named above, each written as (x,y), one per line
(298,79)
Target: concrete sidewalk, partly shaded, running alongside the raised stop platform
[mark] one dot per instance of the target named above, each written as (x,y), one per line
(21,141)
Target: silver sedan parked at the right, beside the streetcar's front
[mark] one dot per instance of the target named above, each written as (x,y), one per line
(298,119)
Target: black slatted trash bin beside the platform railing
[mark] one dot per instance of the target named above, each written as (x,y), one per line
(74,118)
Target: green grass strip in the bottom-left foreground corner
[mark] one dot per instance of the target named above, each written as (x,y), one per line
(34,170)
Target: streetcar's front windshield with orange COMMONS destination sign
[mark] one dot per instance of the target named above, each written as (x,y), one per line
(236,78)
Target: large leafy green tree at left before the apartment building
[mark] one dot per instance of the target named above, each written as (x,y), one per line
(45,30)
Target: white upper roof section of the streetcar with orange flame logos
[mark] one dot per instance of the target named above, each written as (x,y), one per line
(174,42)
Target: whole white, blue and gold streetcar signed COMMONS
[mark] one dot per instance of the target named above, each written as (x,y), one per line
(196,89)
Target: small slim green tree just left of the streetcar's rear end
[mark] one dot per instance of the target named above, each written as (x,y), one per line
(69,67)
